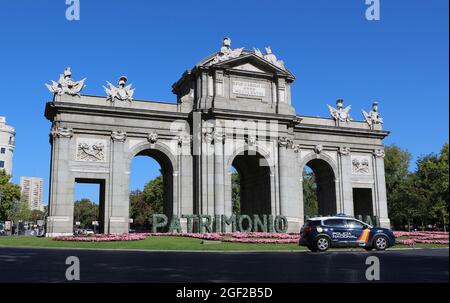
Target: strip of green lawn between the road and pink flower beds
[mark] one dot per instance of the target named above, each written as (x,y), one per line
(162,243)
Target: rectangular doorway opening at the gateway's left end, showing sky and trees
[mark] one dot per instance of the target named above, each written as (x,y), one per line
(89,205)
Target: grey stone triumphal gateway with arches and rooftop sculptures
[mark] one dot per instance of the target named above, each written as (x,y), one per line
(233,111)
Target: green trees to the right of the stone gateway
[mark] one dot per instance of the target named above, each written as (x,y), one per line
(417,198)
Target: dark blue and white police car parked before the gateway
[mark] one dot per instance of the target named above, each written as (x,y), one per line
(321,233)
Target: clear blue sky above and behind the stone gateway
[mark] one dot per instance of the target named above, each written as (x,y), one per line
(401,60)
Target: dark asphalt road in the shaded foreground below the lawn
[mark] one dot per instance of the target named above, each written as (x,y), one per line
(48,265)
